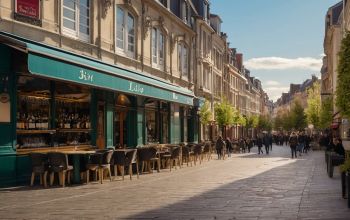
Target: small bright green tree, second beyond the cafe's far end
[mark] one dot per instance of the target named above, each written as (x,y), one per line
(224,114)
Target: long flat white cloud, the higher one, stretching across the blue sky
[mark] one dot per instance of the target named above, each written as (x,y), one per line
(280,63)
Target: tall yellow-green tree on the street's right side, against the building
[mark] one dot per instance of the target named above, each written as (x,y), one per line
(314,105)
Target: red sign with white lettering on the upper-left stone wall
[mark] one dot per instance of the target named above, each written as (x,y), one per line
(28,11)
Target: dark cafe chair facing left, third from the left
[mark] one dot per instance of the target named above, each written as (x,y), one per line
(98,162)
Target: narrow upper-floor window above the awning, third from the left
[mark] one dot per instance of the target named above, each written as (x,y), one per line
(157,48)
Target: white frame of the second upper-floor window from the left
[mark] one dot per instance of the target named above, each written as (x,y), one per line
(125,30)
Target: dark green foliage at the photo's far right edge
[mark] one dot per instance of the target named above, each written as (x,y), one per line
(343,83)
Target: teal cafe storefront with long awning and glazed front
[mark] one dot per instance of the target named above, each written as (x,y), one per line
(53,99)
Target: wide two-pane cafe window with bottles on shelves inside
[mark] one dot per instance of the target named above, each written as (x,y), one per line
(51,113)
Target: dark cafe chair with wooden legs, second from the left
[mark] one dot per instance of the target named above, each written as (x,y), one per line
(58,163)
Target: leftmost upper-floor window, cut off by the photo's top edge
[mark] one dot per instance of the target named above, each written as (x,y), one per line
(76,18)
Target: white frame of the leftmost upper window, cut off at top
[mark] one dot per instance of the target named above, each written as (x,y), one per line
(76,34)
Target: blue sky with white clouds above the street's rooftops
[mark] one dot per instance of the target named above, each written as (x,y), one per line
(281,40)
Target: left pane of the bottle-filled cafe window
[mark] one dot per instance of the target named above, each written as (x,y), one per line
(33,112)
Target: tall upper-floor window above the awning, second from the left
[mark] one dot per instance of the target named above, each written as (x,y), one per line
(125,32)
